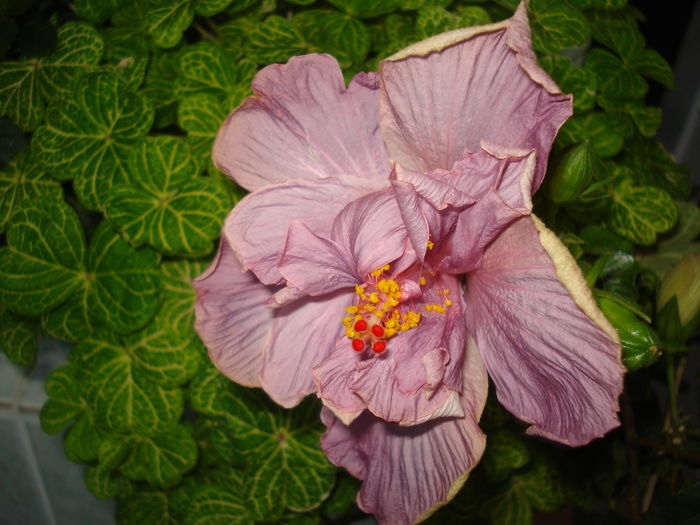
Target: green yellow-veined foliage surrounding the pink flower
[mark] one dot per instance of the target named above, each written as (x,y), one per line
(110,205)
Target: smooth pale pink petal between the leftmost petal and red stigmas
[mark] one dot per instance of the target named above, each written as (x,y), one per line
(303,334)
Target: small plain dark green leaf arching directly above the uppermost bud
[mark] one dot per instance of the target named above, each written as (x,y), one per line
(606,138)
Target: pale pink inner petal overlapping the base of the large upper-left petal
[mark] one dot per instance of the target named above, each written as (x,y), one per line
(257,226)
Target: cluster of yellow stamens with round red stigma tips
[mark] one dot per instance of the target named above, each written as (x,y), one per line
(375,316)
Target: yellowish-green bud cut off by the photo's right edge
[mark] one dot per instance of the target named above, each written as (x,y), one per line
(678,301)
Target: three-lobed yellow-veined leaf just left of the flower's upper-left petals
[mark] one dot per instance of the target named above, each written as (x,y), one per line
(166,204)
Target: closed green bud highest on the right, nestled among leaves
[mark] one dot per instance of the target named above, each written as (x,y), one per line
(572,173)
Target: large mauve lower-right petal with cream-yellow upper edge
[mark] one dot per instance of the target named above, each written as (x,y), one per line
(554,358)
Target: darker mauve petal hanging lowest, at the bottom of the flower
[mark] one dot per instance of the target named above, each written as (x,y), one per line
(409,472)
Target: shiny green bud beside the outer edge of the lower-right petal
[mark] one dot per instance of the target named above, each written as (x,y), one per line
(640,345)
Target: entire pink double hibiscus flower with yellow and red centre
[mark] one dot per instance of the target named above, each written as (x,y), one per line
(387,258)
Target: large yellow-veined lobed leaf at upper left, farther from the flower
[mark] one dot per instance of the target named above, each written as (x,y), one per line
(88,136)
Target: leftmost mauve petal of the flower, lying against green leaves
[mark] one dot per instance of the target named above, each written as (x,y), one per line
(231,317)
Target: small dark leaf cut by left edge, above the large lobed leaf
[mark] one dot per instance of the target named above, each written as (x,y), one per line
(22,182)
